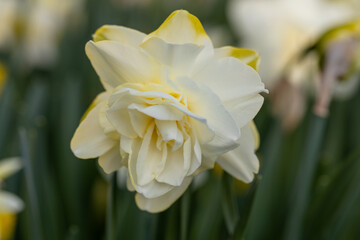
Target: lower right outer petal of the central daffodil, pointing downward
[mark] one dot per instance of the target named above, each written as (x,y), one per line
(242,162)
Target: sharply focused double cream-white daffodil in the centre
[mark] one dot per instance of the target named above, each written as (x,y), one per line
(172,107)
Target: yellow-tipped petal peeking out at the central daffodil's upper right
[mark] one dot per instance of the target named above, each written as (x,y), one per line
(247,56)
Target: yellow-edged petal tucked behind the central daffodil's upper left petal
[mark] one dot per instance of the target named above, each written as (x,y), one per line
(124,35)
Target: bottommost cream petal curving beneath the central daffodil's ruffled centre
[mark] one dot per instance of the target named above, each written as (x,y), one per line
(161,203)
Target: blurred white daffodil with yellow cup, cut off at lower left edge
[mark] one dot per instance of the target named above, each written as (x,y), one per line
(9,203)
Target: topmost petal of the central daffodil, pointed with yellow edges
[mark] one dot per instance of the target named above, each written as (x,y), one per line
(182,27)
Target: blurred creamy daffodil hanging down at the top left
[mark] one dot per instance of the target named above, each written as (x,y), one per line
(44,23)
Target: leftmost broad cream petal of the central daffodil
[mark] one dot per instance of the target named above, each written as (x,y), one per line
(89,140)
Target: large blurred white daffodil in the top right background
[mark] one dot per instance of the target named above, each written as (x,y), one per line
(282,29)
